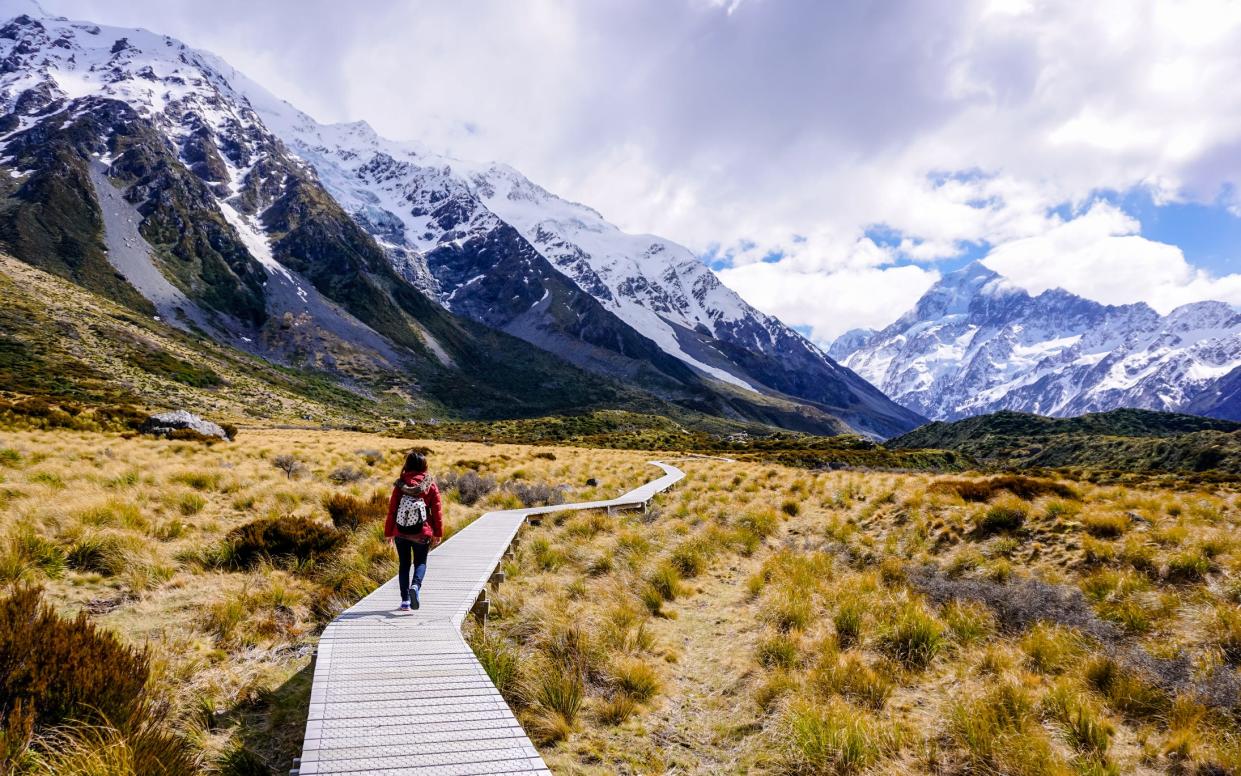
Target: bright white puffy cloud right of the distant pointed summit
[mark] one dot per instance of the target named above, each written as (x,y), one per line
(1100,256)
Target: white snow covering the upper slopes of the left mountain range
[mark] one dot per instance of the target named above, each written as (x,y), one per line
(651,284)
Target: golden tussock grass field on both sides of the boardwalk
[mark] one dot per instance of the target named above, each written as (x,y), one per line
(761,619)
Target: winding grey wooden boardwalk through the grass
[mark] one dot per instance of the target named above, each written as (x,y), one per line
(403,693)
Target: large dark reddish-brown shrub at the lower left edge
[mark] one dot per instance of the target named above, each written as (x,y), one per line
(54,671)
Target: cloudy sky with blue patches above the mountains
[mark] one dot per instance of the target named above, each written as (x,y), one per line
(831,161)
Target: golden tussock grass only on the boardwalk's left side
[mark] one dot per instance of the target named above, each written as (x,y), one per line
(137,535)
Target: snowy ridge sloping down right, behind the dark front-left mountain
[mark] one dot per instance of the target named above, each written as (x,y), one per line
(445,223)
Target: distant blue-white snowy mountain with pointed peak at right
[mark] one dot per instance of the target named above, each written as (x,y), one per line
(975,343)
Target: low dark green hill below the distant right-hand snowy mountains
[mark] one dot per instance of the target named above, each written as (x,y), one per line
(1122,440)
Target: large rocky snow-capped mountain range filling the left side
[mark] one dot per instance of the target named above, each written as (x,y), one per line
(161,176)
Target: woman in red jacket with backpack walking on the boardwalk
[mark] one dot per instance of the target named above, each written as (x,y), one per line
(415,525)
